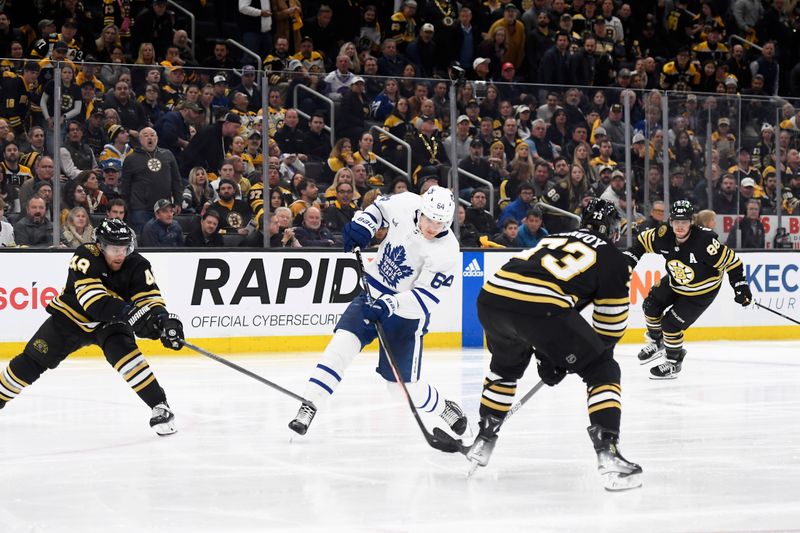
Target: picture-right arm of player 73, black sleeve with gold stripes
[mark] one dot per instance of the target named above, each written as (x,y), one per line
(611,302)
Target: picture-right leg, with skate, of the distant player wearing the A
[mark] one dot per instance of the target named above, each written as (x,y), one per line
(683,313)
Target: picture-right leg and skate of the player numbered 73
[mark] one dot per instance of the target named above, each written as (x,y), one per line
(604,401)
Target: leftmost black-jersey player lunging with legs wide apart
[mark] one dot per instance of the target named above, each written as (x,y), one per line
(110,294)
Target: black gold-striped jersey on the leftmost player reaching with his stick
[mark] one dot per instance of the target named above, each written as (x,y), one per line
(95,294)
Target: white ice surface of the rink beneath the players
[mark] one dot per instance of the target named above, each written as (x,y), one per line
(720,449)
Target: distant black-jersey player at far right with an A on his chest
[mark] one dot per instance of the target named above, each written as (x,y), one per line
(695,262)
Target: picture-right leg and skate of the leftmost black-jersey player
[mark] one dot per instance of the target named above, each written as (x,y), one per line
(121,352)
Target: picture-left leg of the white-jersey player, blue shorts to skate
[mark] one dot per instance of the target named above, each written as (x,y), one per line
(350,336)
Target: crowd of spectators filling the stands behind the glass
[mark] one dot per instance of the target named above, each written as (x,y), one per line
(174,141)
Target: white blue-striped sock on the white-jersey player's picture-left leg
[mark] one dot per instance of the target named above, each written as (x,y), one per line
(327,375)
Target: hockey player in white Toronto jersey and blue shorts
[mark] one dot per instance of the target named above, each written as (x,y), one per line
(416,264)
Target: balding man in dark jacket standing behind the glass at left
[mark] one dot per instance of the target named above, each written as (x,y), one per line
(150,173)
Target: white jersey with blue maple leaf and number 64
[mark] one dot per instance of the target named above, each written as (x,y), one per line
(416,270)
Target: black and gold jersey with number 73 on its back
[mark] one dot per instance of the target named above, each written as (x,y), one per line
(565,271)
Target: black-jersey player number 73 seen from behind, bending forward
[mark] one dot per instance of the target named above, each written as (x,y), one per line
(531,306)
